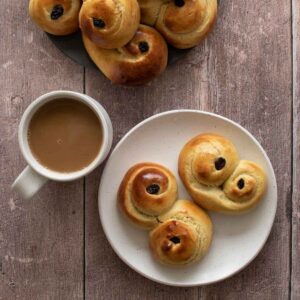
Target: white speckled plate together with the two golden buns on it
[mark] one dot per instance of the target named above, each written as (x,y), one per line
(187,198)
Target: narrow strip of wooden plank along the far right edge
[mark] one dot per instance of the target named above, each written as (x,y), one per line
(295,275)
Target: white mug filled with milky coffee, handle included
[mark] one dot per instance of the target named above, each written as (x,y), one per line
(63,136)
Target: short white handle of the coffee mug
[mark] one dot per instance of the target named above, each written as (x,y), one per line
(28,183)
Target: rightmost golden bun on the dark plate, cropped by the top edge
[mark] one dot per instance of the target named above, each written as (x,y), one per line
(183,23)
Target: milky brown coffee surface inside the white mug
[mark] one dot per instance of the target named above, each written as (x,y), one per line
(65,135)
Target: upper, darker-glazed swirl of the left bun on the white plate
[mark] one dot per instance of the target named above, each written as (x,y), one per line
(147,191)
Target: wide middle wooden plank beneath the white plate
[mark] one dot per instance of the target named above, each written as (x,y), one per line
(243,71)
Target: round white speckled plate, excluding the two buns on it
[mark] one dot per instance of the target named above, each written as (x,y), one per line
(237,239)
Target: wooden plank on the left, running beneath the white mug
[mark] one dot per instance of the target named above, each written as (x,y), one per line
(41,240)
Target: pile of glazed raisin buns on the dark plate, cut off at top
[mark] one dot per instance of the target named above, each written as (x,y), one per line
(129,41)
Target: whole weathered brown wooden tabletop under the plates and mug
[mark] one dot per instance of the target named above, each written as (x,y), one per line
(53,246)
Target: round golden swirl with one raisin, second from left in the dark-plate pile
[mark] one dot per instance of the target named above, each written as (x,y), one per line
(109,24)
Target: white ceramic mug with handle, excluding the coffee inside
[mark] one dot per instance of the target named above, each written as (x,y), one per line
(35,175)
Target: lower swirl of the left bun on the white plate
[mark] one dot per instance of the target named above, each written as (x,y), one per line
(184,236)
